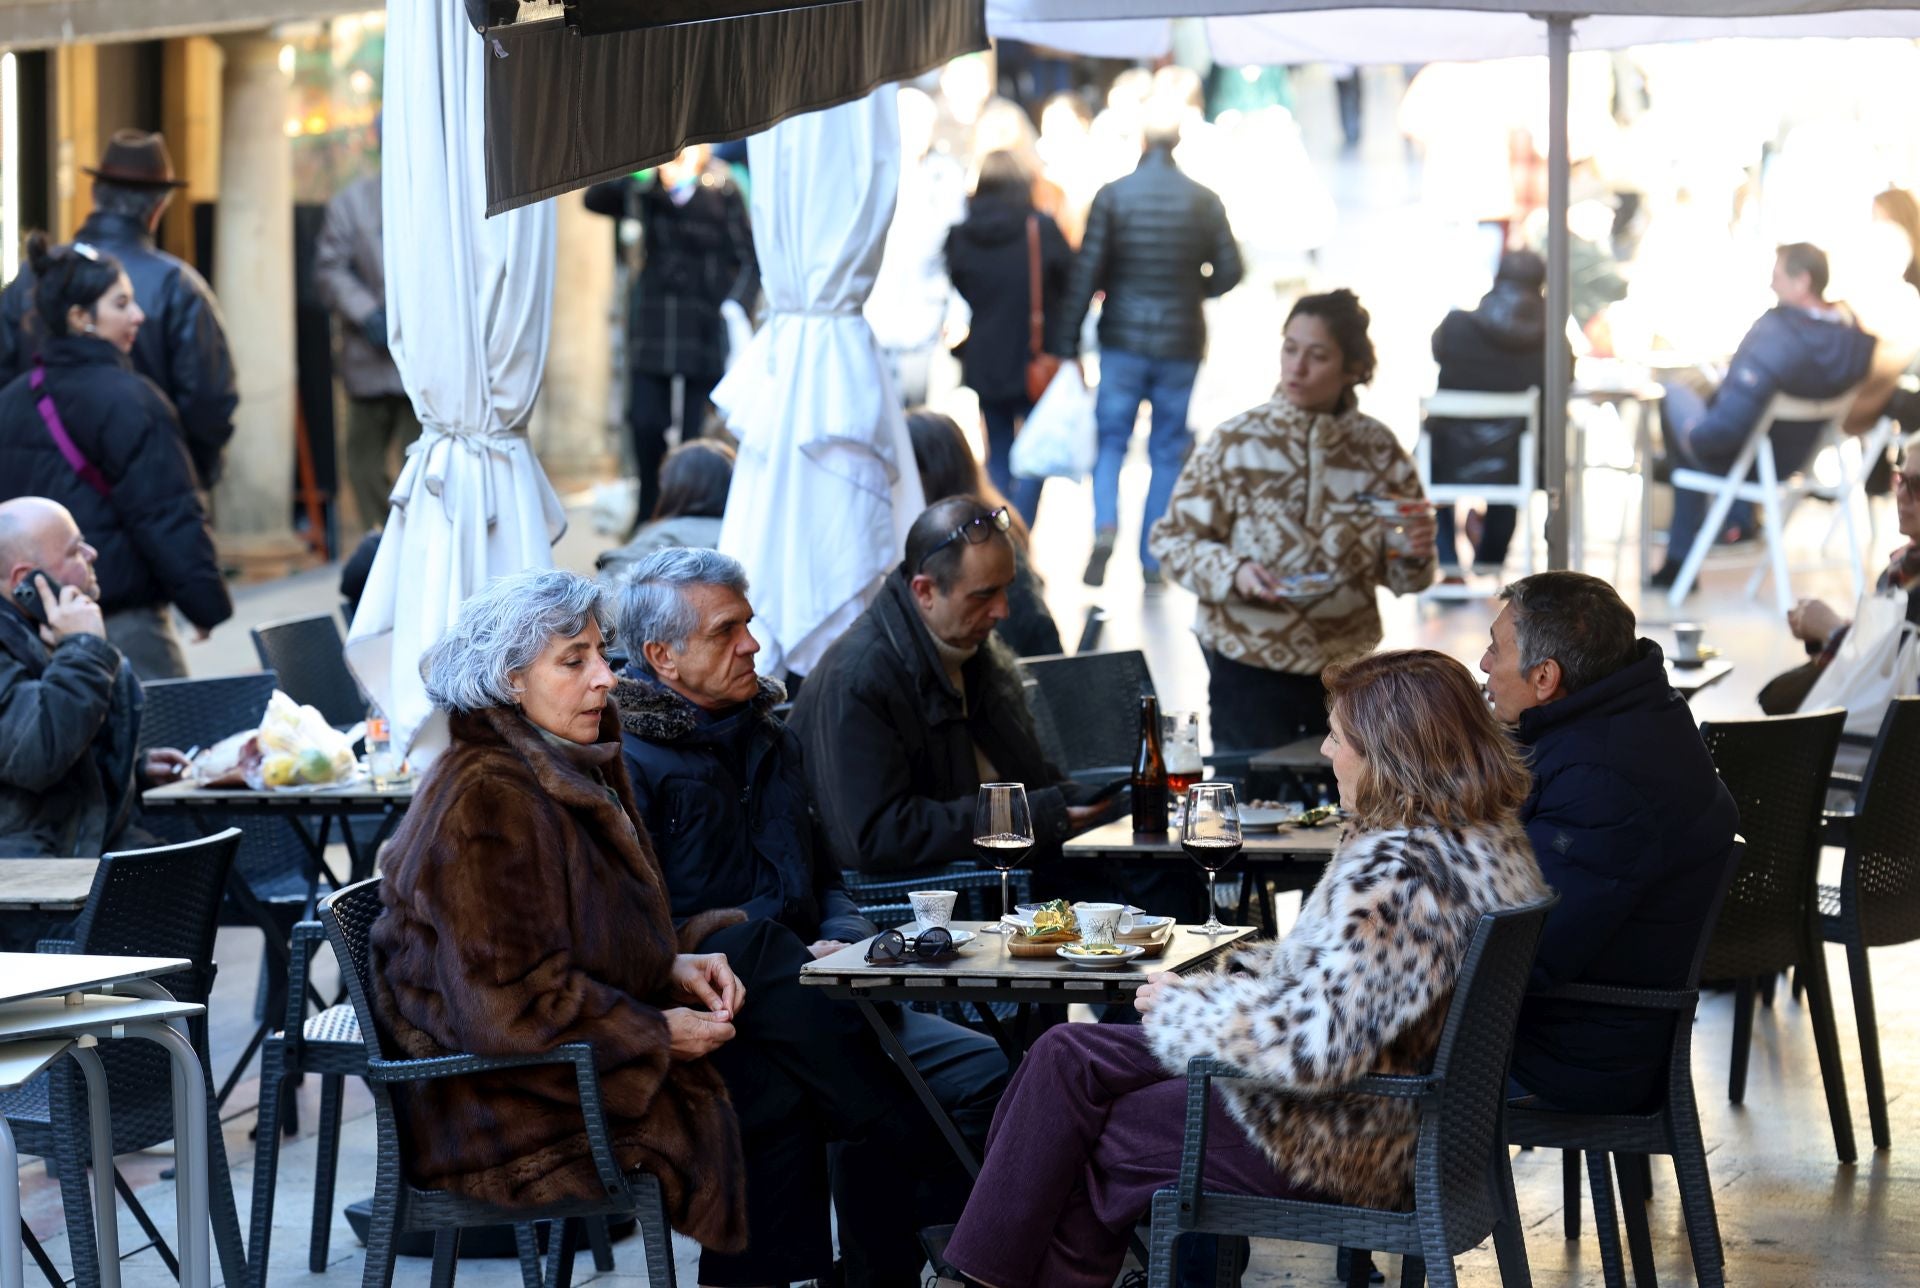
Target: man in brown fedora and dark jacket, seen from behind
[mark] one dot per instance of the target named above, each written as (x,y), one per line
(183,345)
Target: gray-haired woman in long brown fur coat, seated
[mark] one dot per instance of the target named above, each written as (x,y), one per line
(525,909)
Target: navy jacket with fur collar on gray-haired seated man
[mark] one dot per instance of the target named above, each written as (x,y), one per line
(729,813)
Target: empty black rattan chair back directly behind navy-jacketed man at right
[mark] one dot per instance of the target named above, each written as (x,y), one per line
(1777,771)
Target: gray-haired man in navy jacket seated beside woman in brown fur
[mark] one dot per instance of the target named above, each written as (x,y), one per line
(721,786)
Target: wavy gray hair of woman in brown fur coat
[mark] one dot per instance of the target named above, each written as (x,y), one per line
(504,629)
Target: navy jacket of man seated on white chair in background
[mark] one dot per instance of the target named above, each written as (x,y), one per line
(1787,352)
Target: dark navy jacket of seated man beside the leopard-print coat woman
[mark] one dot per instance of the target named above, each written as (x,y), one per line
(1633,828)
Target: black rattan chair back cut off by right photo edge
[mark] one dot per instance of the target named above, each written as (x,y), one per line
(1884,836)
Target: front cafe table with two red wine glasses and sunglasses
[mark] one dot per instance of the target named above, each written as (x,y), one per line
(986,974)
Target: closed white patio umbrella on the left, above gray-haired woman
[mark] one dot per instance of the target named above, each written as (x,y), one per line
(469,302)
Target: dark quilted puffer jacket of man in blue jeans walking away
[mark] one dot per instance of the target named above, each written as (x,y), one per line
(1159,247)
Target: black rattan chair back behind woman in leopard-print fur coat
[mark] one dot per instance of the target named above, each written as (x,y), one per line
(1464,1128)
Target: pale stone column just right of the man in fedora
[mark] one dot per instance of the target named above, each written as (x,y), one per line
(254,281)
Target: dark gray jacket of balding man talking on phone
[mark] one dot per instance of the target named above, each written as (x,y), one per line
(70,723)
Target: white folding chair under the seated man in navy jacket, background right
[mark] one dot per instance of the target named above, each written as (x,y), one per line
(1769,490)
